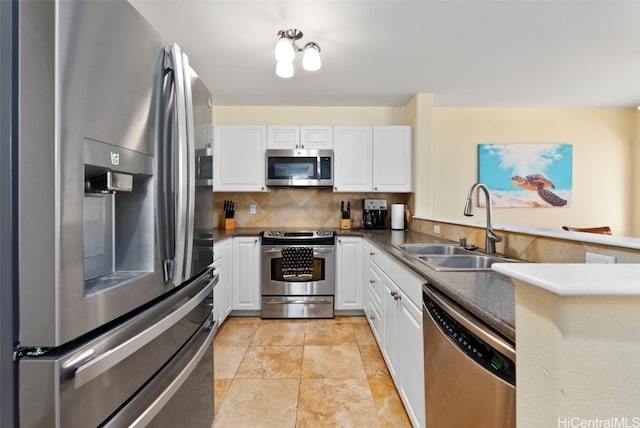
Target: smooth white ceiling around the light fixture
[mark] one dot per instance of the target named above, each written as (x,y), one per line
(509,53)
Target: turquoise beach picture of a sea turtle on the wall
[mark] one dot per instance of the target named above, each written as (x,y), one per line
(527,175)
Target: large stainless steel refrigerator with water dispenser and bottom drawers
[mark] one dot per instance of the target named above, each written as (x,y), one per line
(114,233)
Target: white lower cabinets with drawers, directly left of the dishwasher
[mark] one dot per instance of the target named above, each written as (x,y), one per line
(396,321)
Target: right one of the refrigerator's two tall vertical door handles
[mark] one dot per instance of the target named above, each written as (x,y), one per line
(190,179)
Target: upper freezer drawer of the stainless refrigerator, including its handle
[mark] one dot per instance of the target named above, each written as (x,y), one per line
(85,384)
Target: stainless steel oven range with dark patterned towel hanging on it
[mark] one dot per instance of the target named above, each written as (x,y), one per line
(298,274)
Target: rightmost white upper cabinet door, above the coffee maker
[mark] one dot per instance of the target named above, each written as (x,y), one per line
(392,158)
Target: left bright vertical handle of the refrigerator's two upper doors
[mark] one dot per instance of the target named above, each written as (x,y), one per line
(180,165)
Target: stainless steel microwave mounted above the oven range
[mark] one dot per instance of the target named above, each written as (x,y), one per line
(303,168)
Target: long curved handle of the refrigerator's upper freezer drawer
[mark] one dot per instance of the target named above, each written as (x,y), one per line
(99,365)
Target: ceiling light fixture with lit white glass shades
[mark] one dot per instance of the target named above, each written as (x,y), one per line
(286,49)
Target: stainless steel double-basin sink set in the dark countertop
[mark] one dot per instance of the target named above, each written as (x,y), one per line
(450,257)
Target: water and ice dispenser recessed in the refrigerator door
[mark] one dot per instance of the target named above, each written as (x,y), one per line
(118,215)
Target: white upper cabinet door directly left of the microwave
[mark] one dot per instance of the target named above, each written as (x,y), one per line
(239,158)
